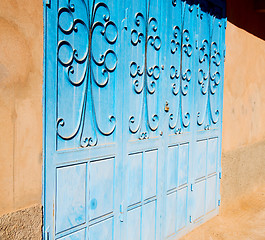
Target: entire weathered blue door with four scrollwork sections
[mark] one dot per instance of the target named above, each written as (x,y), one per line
(132,117)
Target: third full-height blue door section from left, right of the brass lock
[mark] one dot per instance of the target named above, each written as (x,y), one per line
(179,78)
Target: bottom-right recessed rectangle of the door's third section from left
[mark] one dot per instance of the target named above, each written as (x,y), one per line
(182,208)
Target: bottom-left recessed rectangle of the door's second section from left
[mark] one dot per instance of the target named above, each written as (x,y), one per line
(134,224)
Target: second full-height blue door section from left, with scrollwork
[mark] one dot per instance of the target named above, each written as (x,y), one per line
(142,112)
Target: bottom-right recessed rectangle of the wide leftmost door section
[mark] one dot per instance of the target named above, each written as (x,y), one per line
(102,230)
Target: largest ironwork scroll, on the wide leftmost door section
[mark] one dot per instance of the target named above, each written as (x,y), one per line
(83,68)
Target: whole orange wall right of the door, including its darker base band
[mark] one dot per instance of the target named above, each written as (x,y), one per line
(243,158)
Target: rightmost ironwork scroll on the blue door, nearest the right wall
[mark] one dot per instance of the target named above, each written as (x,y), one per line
(209,79)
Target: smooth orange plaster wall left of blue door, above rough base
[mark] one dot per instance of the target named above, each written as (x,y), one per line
(21,41)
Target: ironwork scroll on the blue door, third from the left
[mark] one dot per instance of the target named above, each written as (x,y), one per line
(181,76)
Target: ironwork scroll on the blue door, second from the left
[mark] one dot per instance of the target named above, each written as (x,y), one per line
(145,77)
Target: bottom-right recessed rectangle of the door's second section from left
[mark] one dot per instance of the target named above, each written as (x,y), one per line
(149,221)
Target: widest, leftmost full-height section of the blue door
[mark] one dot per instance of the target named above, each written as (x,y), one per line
(83,120)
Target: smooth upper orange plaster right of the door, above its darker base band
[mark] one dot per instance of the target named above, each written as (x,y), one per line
(244,90)
